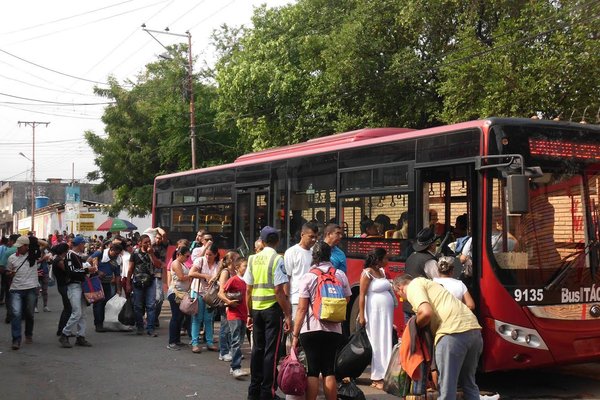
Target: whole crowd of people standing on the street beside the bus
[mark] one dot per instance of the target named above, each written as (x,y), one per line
(268,295)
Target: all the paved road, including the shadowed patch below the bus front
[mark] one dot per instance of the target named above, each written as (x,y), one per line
(125,366)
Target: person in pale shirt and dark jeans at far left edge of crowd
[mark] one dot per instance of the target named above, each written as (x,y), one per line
(22,291)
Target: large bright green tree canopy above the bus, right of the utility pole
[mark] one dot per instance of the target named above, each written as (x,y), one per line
(322,66)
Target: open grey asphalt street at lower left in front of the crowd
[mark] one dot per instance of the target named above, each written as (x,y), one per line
(120,365)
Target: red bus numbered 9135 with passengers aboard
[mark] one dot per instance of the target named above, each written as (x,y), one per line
(530,190)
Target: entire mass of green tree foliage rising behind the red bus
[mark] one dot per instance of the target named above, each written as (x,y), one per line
(316,67)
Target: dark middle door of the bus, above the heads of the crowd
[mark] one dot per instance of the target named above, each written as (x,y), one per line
(252,210)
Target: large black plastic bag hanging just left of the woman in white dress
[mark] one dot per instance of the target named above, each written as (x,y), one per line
(355,356)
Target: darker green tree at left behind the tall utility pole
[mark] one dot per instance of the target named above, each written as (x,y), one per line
(148,132)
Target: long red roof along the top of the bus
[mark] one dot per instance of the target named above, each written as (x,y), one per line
(357,138)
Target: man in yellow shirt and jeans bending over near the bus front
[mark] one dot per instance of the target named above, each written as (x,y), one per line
(458,341)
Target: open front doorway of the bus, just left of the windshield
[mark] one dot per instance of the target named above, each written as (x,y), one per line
(446,204)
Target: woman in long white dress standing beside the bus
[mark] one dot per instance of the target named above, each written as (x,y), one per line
(376,311)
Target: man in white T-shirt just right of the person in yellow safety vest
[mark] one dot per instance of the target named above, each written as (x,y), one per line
(298,260)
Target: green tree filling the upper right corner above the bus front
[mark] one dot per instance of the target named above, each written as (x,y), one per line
(519,59)
